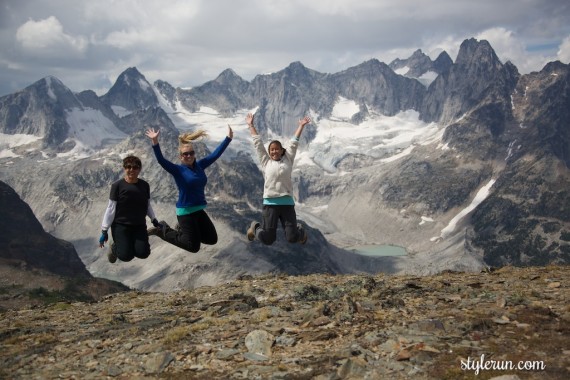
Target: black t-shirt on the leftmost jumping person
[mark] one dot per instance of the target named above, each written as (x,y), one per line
(132,201)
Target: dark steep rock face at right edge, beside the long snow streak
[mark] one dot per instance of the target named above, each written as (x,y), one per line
(530,211)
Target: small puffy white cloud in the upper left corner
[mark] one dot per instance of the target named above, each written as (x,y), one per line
(47,38)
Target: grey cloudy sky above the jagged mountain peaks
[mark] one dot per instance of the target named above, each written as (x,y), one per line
(88,43)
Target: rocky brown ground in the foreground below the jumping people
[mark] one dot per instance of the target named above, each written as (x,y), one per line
(509,323)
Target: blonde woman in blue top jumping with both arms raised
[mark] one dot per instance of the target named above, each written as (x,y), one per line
(194,225)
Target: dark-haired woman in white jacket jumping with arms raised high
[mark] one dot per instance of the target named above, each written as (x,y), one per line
(278,202)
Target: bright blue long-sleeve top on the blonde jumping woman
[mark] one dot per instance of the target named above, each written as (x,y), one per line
(191,181)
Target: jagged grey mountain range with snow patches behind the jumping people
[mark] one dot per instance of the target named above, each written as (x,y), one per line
(463,164)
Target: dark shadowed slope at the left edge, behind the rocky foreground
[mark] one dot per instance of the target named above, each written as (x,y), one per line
(36,267)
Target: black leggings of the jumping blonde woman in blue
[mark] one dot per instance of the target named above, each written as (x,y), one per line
(194,229)
